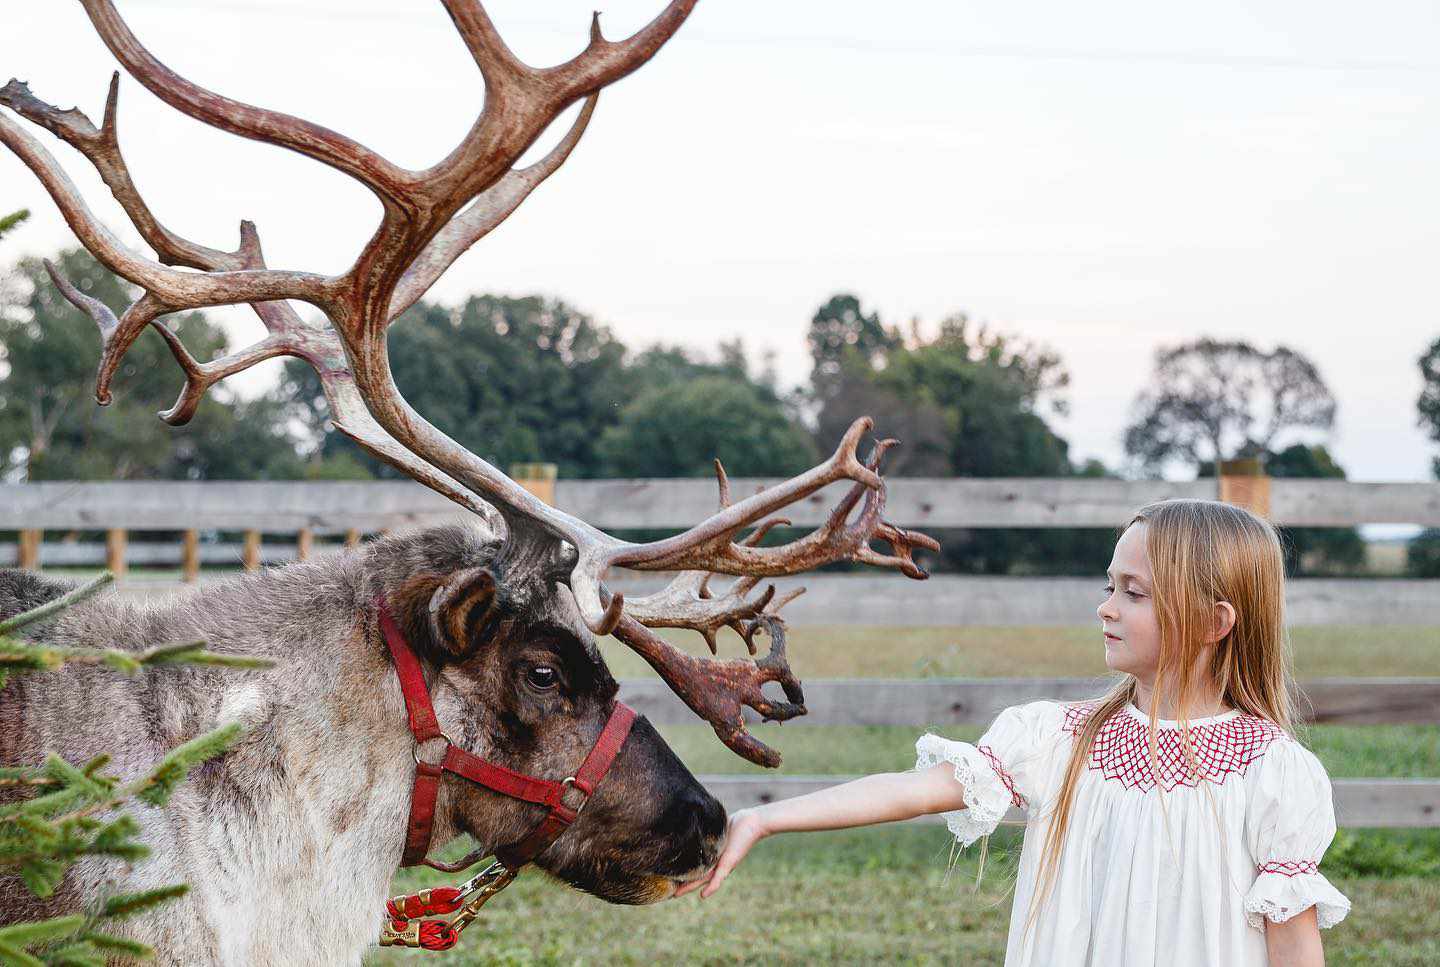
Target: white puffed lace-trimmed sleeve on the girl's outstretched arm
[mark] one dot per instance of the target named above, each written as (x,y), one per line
(999,772)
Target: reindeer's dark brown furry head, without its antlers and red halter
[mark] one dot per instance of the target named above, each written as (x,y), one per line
(521,683)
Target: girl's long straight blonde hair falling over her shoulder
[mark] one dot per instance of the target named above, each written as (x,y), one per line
(1202,553)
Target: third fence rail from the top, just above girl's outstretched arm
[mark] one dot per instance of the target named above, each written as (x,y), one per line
(976,702)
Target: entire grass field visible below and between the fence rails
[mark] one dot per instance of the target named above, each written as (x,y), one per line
(886,896)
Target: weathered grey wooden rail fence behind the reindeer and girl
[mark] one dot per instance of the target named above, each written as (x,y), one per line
(305,512)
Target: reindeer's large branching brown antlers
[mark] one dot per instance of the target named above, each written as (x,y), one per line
(431,218)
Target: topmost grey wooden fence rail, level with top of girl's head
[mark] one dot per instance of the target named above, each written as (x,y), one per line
(372,506)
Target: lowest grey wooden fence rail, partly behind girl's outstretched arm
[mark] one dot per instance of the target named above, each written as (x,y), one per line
(1359,802)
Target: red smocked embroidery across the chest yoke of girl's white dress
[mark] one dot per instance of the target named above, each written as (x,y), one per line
(1122,749)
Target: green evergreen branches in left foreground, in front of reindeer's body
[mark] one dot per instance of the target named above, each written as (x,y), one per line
(57,814)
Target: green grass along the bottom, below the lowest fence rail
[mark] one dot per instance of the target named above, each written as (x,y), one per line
(870,896)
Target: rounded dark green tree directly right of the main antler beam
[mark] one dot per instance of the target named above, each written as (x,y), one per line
(512,381)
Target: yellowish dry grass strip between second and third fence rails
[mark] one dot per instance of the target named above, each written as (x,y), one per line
(1010,653)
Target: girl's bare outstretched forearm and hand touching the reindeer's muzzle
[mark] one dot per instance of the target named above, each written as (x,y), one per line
(873,799)
